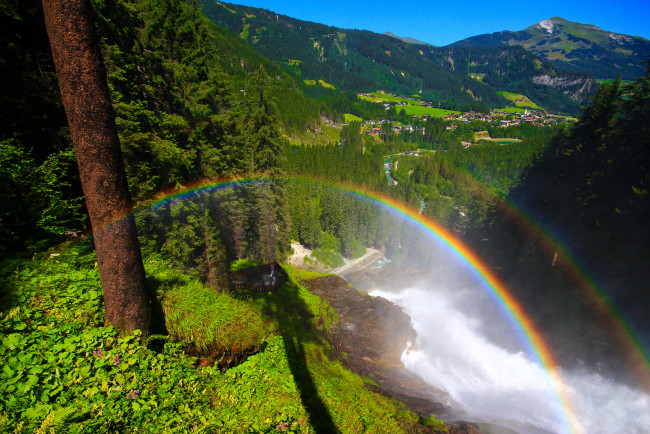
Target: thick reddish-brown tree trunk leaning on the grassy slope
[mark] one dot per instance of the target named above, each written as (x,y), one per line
(86,99)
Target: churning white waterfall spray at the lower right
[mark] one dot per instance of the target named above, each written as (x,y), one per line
(495,382)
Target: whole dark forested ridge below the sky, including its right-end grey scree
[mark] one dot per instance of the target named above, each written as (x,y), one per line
(362,61)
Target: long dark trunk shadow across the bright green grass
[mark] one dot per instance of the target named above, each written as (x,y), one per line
(294,320)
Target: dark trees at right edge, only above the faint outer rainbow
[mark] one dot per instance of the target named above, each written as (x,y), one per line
(597,172)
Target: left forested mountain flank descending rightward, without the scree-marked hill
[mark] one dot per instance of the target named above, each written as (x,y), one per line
(354,60)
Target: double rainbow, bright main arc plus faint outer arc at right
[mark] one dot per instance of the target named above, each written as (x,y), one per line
(533,339)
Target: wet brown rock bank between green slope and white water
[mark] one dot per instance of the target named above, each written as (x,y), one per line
(370,339)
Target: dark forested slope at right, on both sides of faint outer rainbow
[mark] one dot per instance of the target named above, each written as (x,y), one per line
(588,189)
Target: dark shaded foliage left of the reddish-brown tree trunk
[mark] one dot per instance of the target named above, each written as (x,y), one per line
(40,194)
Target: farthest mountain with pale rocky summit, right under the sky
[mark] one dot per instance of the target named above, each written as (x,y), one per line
(574,47)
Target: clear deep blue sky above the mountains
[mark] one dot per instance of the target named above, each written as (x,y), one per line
(443,22)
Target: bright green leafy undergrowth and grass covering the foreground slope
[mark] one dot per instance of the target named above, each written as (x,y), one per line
(63,371)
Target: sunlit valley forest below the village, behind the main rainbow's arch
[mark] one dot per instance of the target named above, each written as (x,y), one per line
(456,187)
